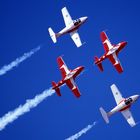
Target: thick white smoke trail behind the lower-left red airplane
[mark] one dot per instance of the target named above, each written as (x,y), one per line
(22,109)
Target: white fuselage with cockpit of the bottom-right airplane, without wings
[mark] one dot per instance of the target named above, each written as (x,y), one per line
(124,104)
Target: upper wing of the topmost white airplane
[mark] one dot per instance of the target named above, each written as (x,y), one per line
(67,18)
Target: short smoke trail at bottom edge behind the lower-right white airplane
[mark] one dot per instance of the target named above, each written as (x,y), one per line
(80,133)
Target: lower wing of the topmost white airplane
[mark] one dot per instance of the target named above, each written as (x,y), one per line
(76,38)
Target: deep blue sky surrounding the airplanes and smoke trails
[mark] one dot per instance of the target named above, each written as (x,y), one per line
(24,26)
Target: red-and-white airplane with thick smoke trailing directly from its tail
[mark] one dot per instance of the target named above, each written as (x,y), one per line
(68,78)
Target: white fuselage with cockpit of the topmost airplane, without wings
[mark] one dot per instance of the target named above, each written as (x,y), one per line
(73,26)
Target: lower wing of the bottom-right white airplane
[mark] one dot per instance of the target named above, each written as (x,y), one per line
(128,116)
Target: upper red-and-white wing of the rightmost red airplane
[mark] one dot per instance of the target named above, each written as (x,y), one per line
(106,43)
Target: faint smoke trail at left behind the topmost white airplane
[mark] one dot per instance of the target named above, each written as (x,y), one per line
(16,62)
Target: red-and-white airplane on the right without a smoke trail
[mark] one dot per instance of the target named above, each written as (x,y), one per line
(111,52)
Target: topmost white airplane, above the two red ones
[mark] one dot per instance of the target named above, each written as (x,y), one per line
(71,27)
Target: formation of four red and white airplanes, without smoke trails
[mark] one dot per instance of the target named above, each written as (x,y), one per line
(111,52)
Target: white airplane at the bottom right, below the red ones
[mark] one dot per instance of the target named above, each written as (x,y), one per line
(123,106)
